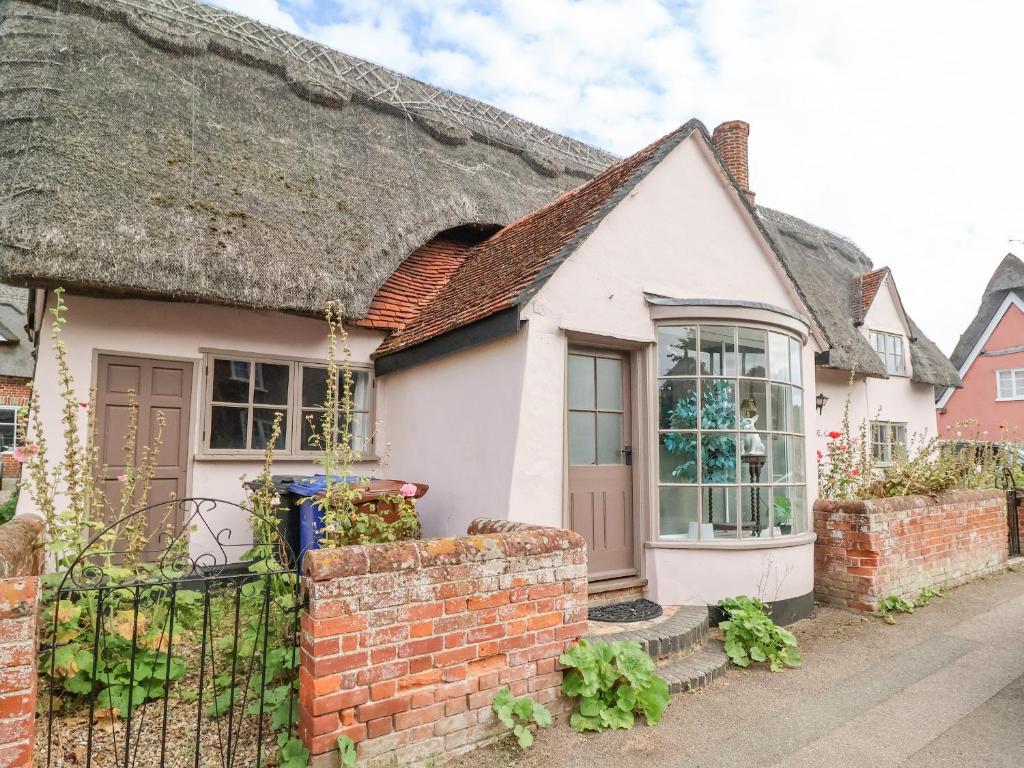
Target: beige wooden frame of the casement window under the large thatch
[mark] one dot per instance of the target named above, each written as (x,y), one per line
(293,410)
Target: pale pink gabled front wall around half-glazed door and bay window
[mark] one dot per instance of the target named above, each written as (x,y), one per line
(684,234)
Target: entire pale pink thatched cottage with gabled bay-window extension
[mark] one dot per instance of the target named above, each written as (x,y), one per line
(630,349)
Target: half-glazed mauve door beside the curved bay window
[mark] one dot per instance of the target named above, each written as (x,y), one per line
(601,460)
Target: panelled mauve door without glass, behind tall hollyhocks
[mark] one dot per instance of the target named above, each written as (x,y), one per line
(160,388)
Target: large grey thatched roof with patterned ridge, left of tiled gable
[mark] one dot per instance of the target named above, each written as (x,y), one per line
(169,149)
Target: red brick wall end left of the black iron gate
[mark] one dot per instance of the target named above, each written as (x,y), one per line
(20,566)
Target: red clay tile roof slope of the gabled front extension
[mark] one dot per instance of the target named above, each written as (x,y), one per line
(507,270)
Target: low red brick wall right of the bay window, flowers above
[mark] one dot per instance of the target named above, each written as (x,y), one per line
(868,550)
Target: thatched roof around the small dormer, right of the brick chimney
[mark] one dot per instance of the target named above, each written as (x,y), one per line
(830,271)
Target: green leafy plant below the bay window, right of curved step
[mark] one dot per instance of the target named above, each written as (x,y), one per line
(752,636)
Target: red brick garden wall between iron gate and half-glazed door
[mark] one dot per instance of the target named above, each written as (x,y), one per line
(405,645)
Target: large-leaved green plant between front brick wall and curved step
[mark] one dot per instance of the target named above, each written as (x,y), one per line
(614,682)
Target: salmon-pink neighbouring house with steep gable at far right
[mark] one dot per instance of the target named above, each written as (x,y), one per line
(991,359)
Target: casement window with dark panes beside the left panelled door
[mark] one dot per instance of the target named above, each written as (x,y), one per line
(245,394)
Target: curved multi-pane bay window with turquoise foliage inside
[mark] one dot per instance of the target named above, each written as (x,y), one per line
(732,461)
